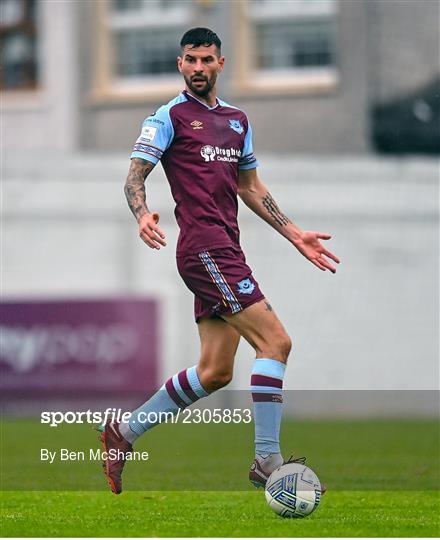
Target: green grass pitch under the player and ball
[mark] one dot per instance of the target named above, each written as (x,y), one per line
(383,479)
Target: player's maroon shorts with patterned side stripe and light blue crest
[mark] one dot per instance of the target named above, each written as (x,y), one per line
(221,281)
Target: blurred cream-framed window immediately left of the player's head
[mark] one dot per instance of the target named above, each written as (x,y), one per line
(136,46)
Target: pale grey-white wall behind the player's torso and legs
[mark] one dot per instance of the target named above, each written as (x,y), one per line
(374,325)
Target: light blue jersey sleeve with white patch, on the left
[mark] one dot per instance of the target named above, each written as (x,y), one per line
(156,136)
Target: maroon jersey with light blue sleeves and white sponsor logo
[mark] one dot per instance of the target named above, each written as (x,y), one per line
(202,149)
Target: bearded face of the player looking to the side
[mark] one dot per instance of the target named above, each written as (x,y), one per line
(199,67)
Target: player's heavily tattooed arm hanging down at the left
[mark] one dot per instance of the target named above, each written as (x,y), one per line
(134,190)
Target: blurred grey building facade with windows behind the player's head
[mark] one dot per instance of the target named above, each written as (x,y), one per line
(81,76)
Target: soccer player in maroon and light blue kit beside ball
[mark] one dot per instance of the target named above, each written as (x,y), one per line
(205,146)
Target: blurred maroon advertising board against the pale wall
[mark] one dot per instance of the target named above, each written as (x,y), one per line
(78,347)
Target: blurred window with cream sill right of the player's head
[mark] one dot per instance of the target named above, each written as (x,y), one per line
(289,45)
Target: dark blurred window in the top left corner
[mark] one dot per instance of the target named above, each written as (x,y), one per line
(18,45)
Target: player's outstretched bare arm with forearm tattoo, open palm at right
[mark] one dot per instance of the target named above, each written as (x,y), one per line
(256,196)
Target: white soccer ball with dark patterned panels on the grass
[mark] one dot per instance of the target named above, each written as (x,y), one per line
(293,490)
